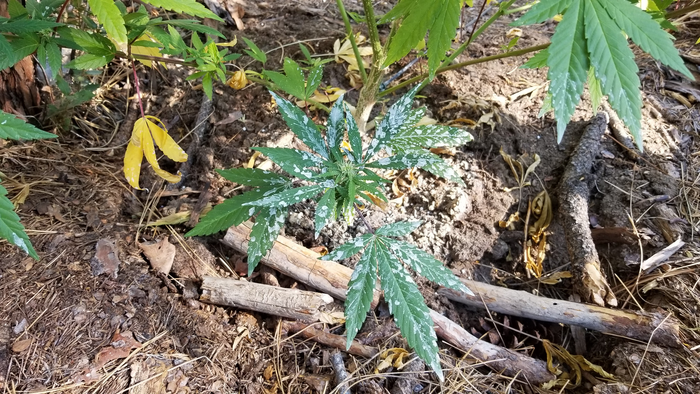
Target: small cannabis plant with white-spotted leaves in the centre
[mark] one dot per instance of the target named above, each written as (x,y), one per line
(343,178)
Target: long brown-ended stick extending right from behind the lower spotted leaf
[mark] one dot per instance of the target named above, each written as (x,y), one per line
(654,326)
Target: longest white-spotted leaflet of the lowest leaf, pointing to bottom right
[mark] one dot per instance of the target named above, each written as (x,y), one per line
(407,305)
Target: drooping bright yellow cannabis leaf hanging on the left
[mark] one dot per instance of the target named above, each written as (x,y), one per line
(145,133)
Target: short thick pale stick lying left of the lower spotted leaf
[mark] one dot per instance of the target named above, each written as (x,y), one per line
(278,301)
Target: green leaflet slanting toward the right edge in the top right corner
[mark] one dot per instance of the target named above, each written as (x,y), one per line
(646,33)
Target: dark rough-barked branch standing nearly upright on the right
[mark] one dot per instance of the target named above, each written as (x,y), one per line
(590,282)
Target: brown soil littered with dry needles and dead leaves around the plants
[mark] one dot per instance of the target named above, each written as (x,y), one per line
(84,302)
